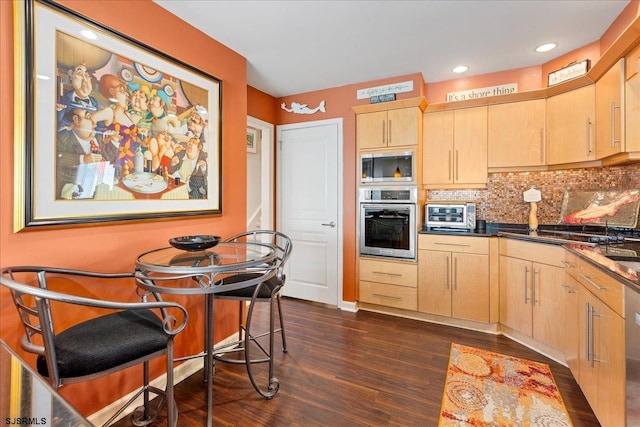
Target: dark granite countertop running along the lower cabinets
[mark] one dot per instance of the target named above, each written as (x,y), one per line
(614,259)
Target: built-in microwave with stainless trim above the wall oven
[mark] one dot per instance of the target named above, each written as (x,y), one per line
(388,167)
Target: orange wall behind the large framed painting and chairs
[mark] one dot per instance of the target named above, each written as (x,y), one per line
(114,247)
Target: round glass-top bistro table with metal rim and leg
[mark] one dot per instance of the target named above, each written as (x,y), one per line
(174,271)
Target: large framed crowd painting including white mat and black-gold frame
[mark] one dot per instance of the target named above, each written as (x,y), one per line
(109,129)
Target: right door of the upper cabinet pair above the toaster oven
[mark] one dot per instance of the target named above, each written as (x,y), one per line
(470,146)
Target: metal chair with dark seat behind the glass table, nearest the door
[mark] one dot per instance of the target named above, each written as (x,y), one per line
(265,291)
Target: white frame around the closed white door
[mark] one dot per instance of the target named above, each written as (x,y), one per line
(340,303)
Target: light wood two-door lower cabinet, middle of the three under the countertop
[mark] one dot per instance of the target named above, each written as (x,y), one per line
(531,293)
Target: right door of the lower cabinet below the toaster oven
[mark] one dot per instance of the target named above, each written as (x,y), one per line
(470,287)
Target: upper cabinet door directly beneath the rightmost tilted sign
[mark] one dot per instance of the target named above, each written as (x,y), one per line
(570,126)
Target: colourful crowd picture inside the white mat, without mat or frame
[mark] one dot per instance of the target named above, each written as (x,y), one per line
(118,120)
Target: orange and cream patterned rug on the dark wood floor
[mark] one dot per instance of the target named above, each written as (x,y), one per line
(491,389)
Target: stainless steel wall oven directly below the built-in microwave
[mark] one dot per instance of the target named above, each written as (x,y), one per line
(388,222)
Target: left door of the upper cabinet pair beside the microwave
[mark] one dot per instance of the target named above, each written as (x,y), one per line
(437,148)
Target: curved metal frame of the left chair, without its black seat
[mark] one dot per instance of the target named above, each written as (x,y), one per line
(38,320)
